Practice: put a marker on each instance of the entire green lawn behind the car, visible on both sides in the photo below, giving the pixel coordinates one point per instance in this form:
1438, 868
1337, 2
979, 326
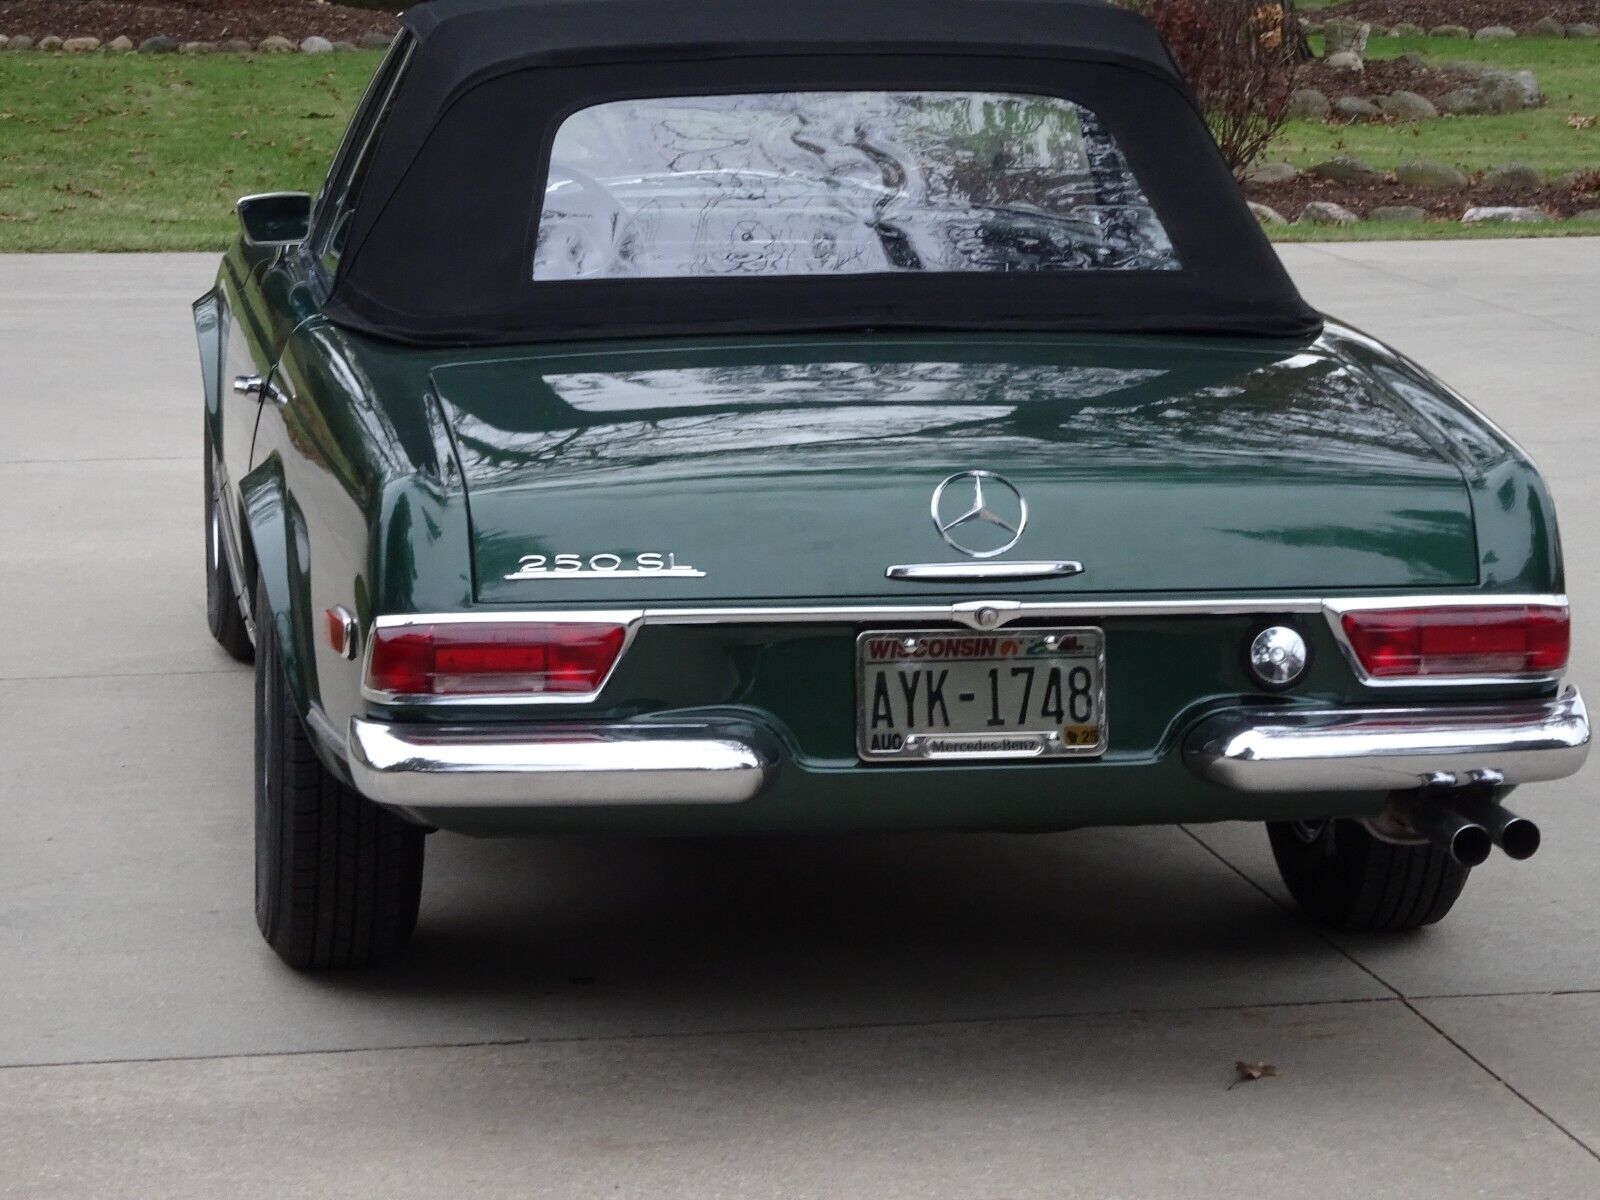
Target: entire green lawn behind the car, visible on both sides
148, 153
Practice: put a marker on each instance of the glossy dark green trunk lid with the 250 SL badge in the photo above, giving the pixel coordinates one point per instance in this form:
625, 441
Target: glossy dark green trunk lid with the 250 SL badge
802, 470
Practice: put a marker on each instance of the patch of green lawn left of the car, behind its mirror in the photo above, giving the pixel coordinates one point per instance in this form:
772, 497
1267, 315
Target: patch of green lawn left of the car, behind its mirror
150, 153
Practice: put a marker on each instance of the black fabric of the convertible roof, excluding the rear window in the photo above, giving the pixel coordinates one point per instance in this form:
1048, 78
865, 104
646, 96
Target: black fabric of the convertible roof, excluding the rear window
442, 236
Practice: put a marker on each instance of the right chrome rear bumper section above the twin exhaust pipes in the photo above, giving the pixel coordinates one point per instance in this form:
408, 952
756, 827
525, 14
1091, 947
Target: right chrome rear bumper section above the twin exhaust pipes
1390, 750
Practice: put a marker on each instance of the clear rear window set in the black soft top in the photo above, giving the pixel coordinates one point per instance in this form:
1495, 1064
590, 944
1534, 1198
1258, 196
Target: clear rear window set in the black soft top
841, 183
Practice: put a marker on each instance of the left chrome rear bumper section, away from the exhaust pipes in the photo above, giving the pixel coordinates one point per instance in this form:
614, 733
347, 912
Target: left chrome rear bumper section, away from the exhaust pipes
543, 767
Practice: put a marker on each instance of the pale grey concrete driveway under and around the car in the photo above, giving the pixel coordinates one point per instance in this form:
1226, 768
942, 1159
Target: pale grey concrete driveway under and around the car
918, 1017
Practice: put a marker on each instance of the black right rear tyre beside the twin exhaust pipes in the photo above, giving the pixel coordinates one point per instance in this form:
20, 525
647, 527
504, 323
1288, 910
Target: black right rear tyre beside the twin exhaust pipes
1348, 879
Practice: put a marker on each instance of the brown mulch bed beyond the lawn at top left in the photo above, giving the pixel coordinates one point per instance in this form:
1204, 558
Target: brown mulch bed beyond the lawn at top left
210, 22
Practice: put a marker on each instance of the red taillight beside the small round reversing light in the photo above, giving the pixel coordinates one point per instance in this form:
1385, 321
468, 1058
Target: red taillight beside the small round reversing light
1444, 642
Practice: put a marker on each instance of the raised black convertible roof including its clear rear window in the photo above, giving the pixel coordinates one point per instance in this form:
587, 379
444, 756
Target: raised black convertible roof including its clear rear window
566, 170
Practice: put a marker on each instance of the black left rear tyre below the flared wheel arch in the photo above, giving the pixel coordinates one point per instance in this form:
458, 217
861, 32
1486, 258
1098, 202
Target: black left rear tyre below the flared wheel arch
338, 879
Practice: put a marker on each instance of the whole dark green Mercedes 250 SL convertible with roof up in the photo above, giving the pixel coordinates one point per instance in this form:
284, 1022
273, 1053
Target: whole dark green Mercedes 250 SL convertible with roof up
719, 417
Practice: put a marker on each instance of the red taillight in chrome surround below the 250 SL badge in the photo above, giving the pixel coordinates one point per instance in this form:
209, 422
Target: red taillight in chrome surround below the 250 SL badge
494, 658
